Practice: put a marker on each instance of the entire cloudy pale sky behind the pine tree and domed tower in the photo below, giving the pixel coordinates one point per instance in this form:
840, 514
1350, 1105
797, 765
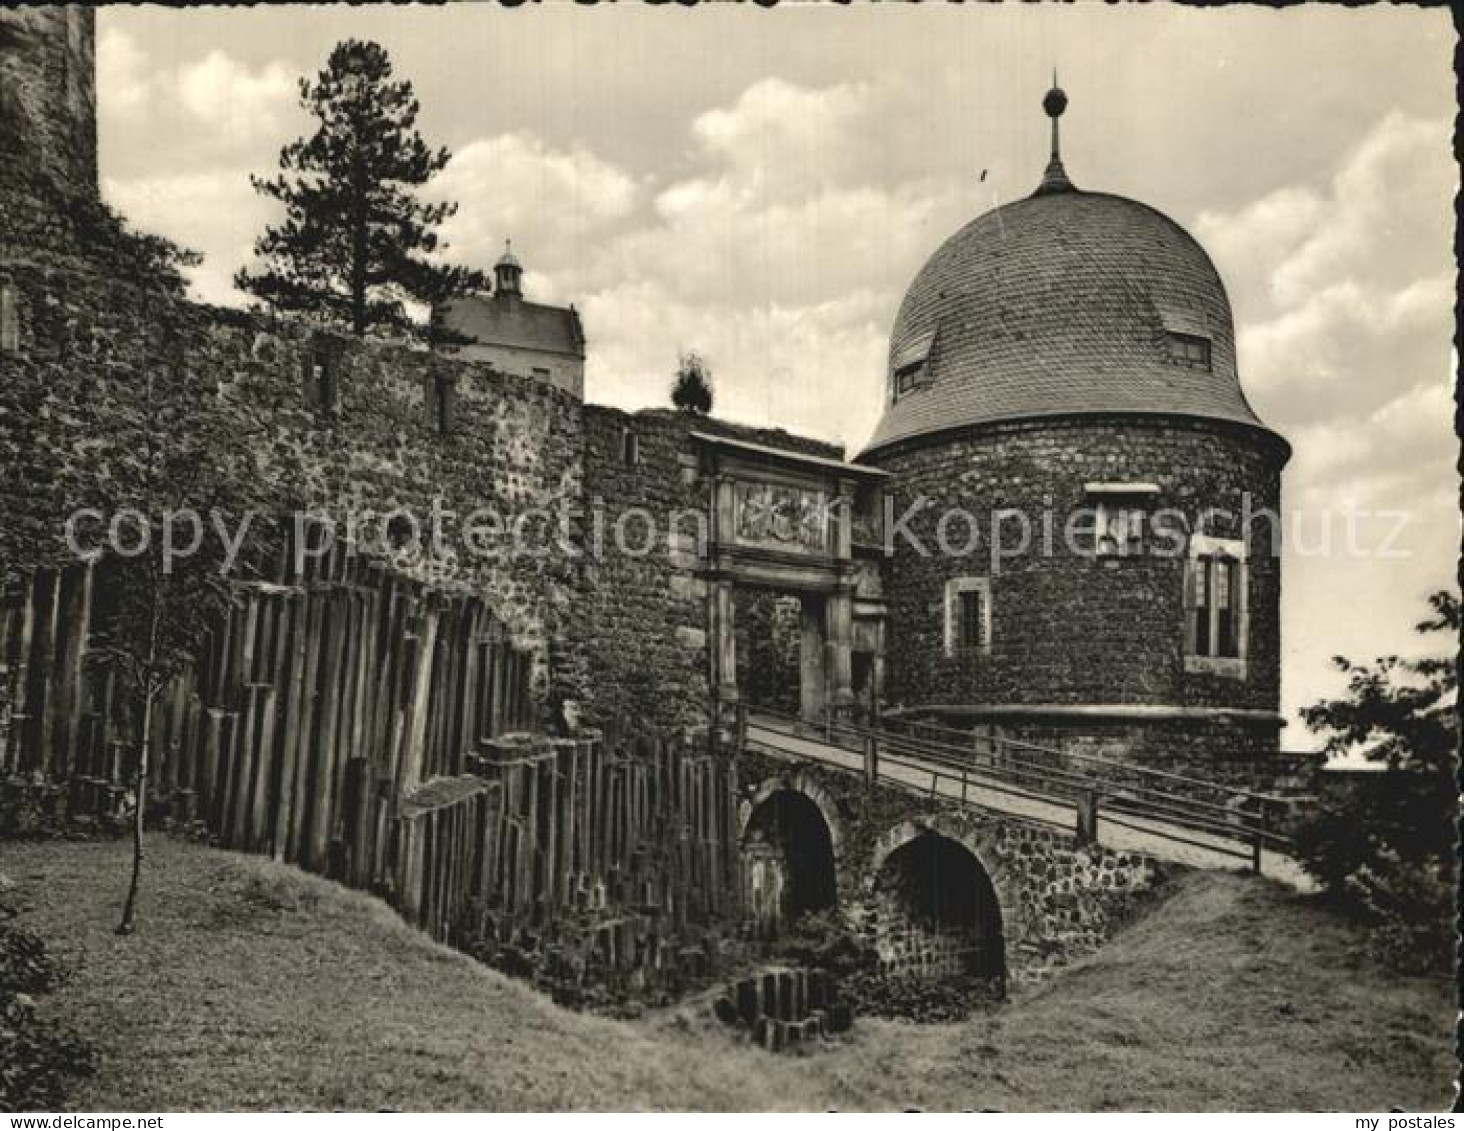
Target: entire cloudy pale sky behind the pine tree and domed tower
763, 185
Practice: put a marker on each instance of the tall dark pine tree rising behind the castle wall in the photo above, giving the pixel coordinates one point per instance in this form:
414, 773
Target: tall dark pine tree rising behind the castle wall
356, 244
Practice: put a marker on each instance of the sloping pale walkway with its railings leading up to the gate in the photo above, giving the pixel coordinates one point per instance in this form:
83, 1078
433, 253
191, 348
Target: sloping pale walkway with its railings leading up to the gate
1122, 807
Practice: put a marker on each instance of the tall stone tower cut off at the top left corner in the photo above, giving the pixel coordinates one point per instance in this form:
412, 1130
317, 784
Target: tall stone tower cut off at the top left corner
49, 96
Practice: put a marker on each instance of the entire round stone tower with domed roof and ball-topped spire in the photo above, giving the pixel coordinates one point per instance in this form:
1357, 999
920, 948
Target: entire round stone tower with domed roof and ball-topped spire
1084, 501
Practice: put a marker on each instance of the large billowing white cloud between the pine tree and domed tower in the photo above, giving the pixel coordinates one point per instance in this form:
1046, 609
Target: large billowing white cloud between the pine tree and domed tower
772, 252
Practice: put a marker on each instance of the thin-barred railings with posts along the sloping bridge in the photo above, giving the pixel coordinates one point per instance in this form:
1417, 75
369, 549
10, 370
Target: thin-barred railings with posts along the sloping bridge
1159, 803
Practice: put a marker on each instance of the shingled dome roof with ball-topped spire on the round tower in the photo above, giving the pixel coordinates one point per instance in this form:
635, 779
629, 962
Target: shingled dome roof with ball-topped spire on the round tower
1062, 304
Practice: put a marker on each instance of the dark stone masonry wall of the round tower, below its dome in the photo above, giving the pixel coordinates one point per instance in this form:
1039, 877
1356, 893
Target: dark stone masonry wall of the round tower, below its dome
1069, 628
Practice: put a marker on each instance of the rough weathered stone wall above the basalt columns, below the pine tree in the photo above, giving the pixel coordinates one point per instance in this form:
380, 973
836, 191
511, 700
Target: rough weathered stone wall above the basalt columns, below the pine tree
86, 343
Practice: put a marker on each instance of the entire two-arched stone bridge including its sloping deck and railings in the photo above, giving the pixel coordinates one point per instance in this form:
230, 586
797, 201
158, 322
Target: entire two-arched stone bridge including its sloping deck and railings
955, 864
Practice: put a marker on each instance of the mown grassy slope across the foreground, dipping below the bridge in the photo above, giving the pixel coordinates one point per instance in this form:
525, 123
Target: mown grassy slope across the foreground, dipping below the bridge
253, 987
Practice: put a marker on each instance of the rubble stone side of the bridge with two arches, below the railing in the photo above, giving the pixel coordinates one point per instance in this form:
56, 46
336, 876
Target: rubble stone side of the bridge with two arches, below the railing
935, 886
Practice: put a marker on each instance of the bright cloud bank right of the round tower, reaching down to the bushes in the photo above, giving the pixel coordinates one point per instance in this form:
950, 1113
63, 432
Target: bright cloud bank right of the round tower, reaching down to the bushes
1345, 298
